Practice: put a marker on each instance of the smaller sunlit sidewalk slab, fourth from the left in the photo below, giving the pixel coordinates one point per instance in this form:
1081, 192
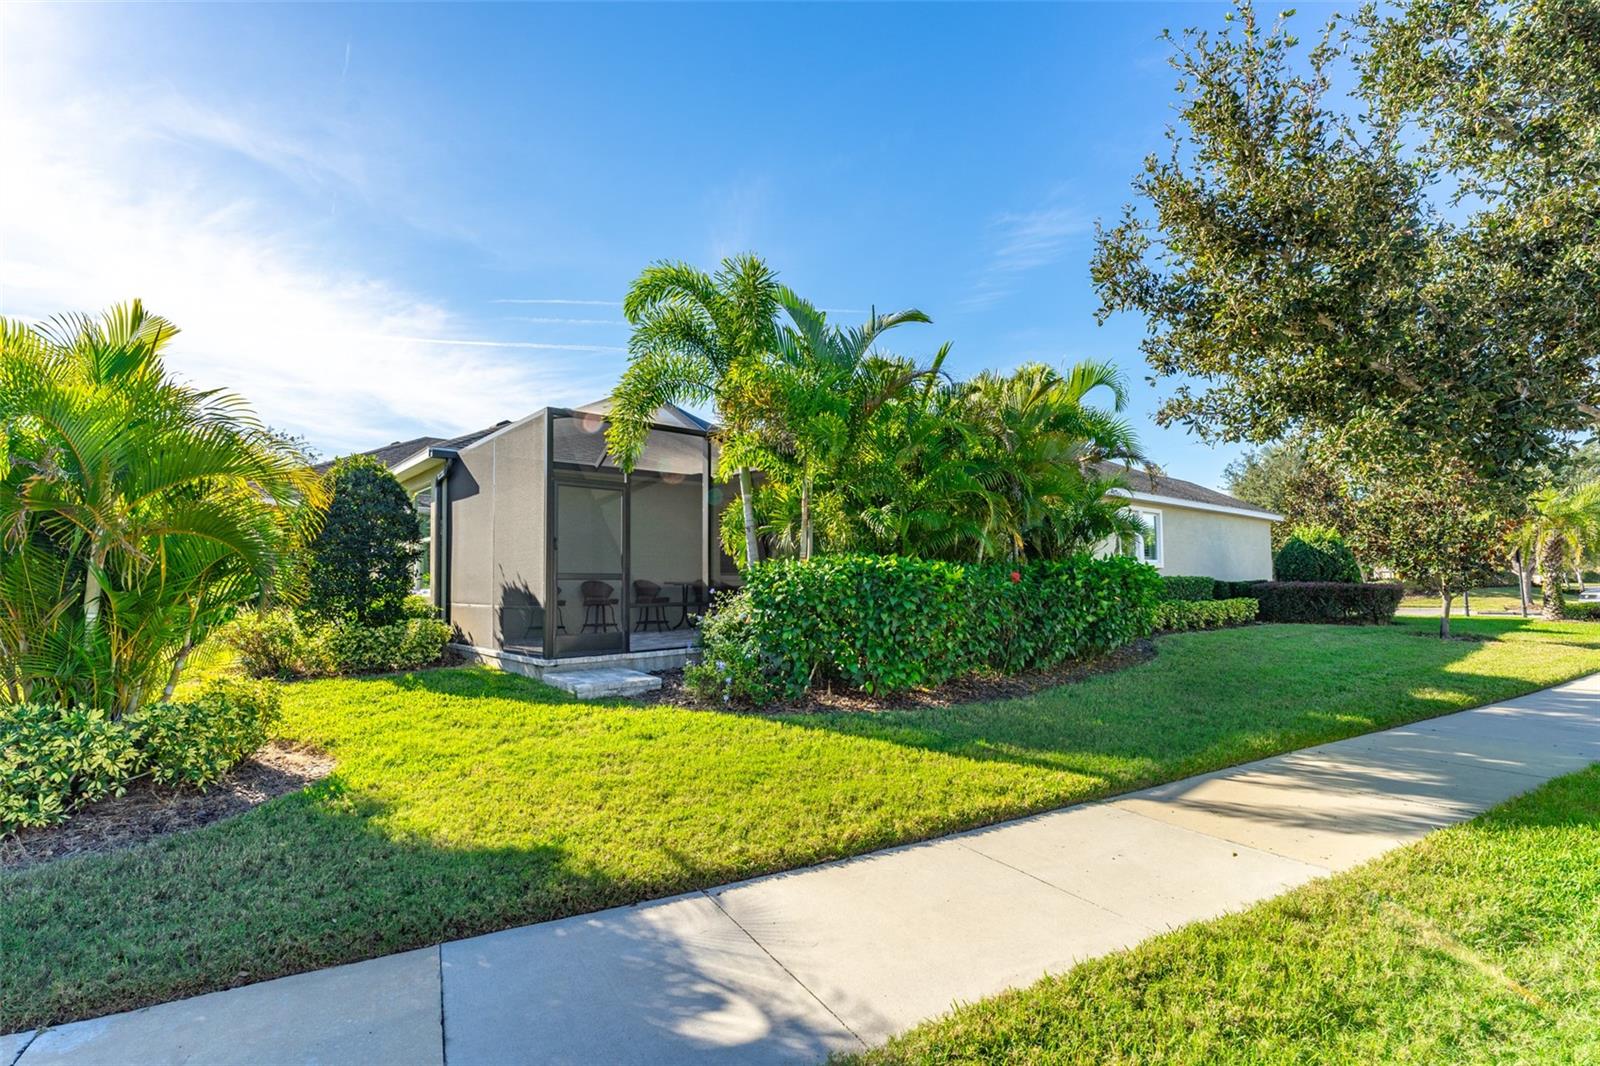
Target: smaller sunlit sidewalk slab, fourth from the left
1154, 873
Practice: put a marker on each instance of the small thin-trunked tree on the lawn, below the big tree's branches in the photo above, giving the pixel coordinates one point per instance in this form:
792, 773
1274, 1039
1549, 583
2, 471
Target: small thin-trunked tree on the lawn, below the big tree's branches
1441, 531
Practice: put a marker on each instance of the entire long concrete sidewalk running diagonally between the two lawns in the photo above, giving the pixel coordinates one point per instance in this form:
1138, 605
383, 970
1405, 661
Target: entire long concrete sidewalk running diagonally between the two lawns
798, 966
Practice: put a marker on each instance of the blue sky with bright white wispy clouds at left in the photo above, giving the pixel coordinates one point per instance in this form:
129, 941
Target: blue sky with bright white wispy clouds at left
385, 222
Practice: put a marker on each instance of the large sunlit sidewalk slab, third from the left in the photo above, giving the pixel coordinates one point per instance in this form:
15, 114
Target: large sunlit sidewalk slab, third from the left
902, 936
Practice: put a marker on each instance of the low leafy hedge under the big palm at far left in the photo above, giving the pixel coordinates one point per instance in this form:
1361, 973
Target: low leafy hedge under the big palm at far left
57, 759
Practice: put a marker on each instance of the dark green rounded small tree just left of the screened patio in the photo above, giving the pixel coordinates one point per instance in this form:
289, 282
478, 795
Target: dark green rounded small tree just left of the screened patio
362, 564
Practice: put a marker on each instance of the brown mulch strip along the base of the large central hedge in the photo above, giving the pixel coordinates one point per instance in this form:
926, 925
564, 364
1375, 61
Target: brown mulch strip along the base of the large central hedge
972, 689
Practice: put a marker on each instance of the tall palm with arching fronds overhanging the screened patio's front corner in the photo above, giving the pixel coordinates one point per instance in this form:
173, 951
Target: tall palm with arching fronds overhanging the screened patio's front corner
698, 339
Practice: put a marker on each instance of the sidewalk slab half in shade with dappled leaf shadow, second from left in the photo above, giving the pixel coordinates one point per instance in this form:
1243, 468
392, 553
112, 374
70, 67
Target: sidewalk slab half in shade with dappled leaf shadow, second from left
671, 982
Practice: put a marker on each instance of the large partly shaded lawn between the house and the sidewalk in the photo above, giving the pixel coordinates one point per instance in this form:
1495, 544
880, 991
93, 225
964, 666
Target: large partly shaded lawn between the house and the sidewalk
468, 801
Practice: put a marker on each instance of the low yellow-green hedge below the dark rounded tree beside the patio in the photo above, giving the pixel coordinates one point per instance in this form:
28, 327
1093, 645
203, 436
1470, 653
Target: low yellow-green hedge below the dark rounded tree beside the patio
278, 644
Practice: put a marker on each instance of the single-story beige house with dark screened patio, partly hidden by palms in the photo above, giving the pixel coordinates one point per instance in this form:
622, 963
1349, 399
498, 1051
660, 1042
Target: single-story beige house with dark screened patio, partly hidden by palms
542, 550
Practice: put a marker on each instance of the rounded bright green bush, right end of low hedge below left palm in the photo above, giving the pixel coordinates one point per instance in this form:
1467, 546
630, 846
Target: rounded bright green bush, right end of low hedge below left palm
196, 742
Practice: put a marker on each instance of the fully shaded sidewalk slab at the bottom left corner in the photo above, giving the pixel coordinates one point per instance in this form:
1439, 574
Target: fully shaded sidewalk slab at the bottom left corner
383, 1011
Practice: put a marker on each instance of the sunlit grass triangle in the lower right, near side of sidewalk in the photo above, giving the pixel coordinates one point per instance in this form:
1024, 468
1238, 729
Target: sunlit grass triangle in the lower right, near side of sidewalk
1478, 945
